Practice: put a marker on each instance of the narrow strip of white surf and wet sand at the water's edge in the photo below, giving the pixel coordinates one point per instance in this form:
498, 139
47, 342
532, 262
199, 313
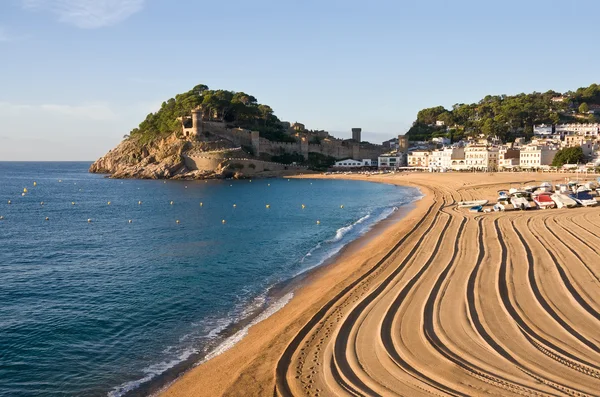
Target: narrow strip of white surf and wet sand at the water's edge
276, 298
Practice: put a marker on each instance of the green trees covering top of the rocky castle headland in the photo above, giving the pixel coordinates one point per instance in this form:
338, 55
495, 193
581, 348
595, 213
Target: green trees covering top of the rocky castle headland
236, 108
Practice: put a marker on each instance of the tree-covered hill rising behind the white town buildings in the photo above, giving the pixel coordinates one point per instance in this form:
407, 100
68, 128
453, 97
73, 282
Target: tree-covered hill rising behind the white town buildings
506, 116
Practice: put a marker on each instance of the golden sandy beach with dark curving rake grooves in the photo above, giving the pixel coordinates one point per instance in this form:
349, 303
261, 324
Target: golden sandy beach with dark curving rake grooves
442, 302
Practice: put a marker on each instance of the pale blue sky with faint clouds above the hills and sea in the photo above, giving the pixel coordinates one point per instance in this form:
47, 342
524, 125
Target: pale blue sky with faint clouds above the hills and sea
76, 75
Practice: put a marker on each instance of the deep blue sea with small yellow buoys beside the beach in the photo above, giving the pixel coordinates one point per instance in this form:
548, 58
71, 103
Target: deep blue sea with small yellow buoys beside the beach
99, 308
